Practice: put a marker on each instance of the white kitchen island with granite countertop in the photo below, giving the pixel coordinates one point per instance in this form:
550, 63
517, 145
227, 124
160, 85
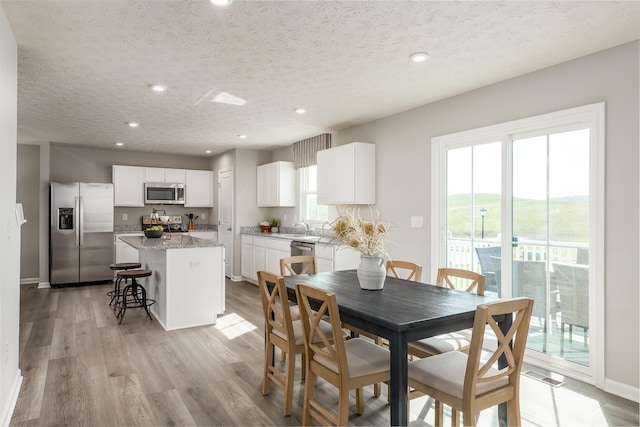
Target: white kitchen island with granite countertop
188, 278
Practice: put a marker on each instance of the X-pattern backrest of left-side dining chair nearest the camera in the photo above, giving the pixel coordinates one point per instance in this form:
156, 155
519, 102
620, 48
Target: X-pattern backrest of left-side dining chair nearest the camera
323, 347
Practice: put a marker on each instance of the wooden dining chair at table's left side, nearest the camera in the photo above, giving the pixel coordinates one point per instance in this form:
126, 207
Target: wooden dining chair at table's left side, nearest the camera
348, 365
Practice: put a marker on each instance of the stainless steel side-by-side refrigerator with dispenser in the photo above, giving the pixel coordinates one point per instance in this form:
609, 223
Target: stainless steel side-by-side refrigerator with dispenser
81, 233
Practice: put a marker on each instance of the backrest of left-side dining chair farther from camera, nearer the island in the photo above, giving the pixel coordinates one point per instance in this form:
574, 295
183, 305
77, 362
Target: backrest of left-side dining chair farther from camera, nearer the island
275, 304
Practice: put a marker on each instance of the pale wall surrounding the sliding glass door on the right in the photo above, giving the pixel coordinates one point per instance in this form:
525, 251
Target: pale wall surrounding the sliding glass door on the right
403, 175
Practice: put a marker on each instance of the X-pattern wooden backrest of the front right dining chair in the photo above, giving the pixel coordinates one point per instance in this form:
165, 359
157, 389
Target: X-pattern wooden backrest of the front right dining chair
479, 370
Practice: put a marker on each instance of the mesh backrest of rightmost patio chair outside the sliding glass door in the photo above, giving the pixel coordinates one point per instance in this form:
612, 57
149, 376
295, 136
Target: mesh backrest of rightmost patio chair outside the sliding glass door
572, 281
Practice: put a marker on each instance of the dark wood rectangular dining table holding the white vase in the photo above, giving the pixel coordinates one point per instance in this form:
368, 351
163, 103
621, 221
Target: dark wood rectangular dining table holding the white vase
401, 312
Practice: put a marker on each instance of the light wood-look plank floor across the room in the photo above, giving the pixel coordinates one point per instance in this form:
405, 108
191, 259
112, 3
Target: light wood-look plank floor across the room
81, 368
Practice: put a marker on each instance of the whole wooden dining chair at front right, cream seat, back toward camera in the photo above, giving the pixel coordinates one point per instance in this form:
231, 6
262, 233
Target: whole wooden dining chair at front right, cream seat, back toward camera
471, 383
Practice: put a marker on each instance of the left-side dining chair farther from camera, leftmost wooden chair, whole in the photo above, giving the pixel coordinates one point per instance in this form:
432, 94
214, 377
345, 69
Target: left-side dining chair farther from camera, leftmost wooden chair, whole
281, 332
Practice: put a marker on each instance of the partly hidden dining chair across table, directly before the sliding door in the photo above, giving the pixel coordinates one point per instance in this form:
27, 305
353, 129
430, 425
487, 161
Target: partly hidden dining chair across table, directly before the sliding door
453, 278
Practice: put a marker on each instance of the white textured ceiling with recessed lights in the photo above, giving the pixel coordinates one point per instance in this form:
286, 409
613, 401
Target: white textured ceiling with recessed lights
84, 67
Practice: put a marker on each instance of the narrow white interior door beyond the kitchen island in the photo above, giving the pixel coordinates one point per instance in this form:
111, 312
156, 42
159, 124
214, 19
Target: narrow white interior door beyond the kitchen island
225, 218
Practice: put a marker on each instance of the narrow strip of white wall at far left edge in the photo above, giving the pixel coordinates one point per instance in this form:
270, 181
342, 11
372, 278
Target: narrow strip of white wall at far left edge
10, 377
